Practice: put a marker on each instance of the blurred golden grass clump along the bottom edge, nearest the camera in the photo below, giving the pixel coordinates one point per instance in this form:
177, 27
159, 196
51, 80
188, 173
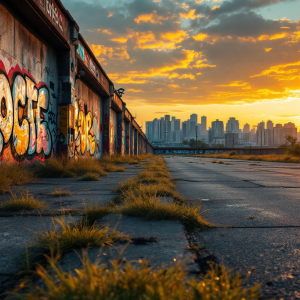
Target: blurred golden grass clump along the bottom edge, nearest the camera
96, 282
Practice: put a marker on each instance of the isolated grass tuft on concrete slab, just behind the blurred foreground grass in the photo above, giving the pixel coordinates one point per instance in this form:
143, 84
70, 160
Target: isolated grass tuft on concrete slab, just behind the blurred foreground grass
77, 236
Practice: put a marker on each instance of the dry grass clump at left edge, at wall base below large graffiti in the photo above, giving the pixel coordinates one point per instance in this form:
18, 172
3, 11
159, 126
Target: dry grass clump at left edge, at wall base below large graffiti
13, 174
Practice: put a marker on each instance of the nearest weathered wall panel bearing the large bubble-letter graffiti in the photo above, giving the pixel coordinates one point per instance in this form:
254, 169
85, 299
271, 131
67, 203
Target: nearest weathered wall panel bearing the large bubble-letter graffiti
28, 94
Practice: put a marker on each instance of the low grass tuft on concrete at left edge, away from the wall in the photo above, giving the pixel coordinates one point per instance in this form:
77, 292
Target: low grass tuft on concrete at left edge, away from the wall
23, 202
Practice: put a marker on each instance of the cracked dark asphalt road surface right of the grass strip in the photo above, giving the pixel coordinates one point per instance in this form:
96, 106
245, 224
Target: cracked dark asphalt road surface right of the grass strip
269, 244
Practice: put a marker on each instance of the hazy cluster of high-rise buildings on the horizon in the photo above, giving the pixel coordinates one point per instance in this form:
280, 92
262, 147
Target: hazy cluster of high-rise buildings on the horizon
169, 130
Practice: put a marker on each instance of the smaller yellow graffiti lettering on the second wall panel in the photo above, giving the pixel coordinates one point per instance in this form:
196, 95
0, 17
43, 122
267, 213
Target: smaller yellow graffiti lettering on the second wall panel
87, 131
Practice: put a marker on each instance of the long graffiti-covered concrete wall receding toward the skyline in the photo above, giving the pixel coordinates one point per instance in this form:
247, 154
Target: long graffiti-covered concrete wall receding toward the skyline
54, 95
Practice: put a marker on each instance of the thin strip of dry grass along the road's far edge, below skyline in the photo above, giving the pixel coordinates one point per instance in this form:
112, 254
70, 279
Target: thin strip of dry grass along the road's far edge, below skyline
271, 157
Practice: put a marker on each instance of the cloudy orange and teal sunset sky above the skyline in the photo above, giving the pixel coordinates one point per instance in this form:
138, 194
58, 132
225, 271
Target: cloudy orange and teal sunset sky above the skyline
238, 58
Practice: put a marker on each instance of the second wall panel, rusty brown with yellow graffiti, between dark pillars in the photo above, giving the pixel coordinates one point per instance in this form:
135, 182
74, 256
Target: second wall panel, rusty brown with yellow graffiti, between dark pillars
87, 136
